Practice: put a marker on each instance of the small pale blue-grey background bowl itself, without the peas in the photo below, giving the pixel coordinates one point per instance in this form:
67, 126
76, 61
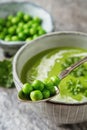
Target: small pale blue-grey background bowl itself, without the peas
10, 8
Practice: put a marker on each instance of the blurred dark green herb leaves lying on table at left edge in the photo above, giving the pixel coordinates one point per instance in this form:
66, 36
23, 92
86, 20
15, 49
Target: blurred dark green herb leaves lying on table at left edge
6, 77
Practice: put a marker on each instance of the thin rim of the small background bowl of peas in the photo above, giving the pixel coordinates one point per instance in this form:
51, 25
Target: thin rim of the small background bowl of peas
13, 43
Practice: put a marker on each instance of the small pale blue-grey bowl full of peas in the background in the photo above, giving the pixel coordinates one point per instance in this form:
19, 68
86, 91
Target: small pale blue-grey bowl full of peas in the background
21, 22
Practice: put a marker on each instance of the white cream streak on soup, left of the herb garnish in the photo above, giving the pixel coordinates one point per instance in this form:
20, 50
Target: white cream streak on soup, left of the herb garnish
46, 64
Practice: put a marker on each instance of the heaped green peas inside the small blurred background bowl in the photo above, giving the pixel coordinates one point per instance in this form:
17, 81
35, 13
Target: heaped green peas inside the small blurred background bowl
20, 27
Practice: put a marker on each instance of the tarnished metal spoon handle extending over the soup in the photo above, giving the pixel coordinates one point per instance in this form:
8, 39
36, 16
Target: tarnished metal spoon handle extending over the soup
64, 73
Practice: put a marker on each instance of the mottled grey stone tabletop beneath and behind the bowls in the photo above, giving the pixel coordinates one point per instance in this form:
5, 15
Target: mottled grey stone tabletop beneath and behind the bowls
14, 115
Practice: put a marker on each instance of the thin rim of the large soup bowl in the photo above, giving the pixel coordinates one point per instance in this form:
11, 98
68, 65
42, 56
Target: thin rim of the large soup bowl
41, 37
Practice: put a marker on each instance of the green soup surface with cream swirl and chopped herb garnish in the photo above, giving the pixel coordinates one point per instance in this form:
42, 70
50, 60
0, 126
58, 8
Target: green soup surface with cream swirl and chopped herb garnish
51, 62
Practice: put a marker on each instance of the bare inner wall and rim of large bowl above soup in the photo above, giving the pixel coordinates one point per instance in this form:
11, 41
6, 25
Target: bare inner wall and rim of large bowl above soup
45, 42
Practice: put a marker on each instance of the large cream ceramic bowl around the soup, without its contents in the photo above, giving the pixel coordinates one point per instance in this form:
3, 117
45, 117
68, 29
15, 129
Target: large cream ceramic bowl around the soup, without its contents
54, 112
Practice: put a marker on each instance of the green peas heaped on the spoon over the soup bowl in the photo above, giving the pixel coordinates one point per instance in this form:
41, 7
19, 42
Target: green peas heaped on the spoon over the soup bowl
39, 90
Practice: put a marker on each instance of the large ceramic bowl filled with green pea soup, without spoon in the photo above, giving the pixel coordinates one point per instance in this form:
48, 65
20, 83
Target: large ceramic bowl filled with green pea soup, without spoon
56, 52
